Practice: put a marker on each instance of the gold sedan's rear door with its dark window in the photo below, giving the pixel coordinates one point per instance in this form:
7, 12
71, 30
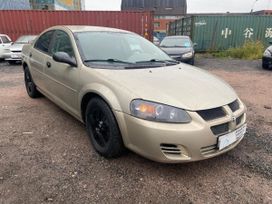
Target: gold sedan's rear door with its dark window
37, 58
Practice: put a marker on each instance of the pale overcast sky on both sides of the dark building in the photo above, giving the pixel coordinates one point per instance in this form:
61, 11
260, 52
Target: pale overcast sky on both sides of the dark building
194, 6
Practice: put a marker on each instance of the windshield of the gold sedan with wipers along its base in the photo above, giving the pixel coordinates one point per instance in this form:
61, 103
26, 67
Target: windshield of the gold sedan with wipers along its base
113, 47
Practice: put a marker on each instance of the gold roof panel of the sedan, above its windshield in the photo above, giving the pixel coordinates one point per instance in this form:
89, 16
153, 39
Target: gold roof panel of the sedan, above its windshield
86, 28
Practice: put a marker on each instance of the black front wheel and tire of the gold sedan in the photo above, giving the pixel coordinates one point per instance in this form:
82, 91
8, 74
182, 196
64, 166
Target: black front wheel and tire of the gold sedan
103, 129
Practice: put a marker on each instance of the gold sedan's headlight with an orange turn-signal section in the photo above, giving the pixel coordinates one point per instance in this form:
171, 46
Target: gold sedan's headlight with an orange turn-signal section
158, 112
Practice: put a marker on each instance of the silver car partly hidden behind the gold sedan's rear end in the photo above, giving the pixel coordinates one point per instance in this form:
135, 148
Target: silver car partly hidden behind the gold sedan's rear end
14, 52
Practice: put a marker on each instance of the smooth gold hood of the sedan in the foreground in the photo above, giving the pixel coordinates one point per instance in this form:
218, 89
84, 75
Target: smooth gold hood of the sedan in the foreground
181, 86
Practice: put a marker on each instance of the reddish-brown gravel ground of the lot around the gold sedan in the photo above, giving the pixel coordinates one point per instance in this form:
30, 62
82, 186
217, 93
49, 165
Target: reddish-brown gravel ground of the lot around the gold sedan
46, 156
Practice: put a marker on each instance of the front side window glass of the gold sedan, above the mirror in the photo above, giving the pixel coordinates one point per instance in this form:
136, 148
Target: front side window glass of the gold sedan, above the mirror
62, 43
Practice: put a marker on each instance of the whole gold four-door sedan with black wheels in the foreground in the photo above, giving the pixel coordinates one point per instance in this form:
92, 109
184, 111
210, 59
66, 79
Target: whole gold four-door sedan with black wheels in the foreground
130, 94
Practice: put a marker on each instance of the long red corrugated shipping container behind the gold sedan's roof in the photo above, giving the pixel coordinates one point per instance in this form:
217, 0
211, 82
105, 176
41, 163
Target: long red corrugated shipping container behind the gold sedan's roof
17, 23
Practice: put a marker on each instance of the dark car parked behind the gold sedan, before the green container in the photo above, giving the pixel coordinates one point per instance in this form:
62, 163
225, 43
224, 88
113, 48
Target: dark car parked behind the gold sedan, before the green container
180, 48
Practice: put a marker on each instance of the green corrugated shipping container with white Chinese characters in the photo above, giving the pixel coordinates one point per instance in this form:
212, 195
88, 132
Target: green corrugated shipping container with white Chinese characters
216, 33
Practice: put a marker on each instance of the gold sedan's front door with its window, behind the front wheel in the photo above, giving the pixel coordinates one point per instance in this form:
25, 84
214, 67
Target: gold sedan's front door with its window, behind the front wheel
62, 79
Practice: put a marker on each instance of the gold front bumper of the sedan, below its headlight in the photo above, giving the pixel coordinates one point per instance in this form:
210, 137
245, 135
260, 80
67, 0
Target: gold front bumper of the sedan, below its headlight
161, 142
